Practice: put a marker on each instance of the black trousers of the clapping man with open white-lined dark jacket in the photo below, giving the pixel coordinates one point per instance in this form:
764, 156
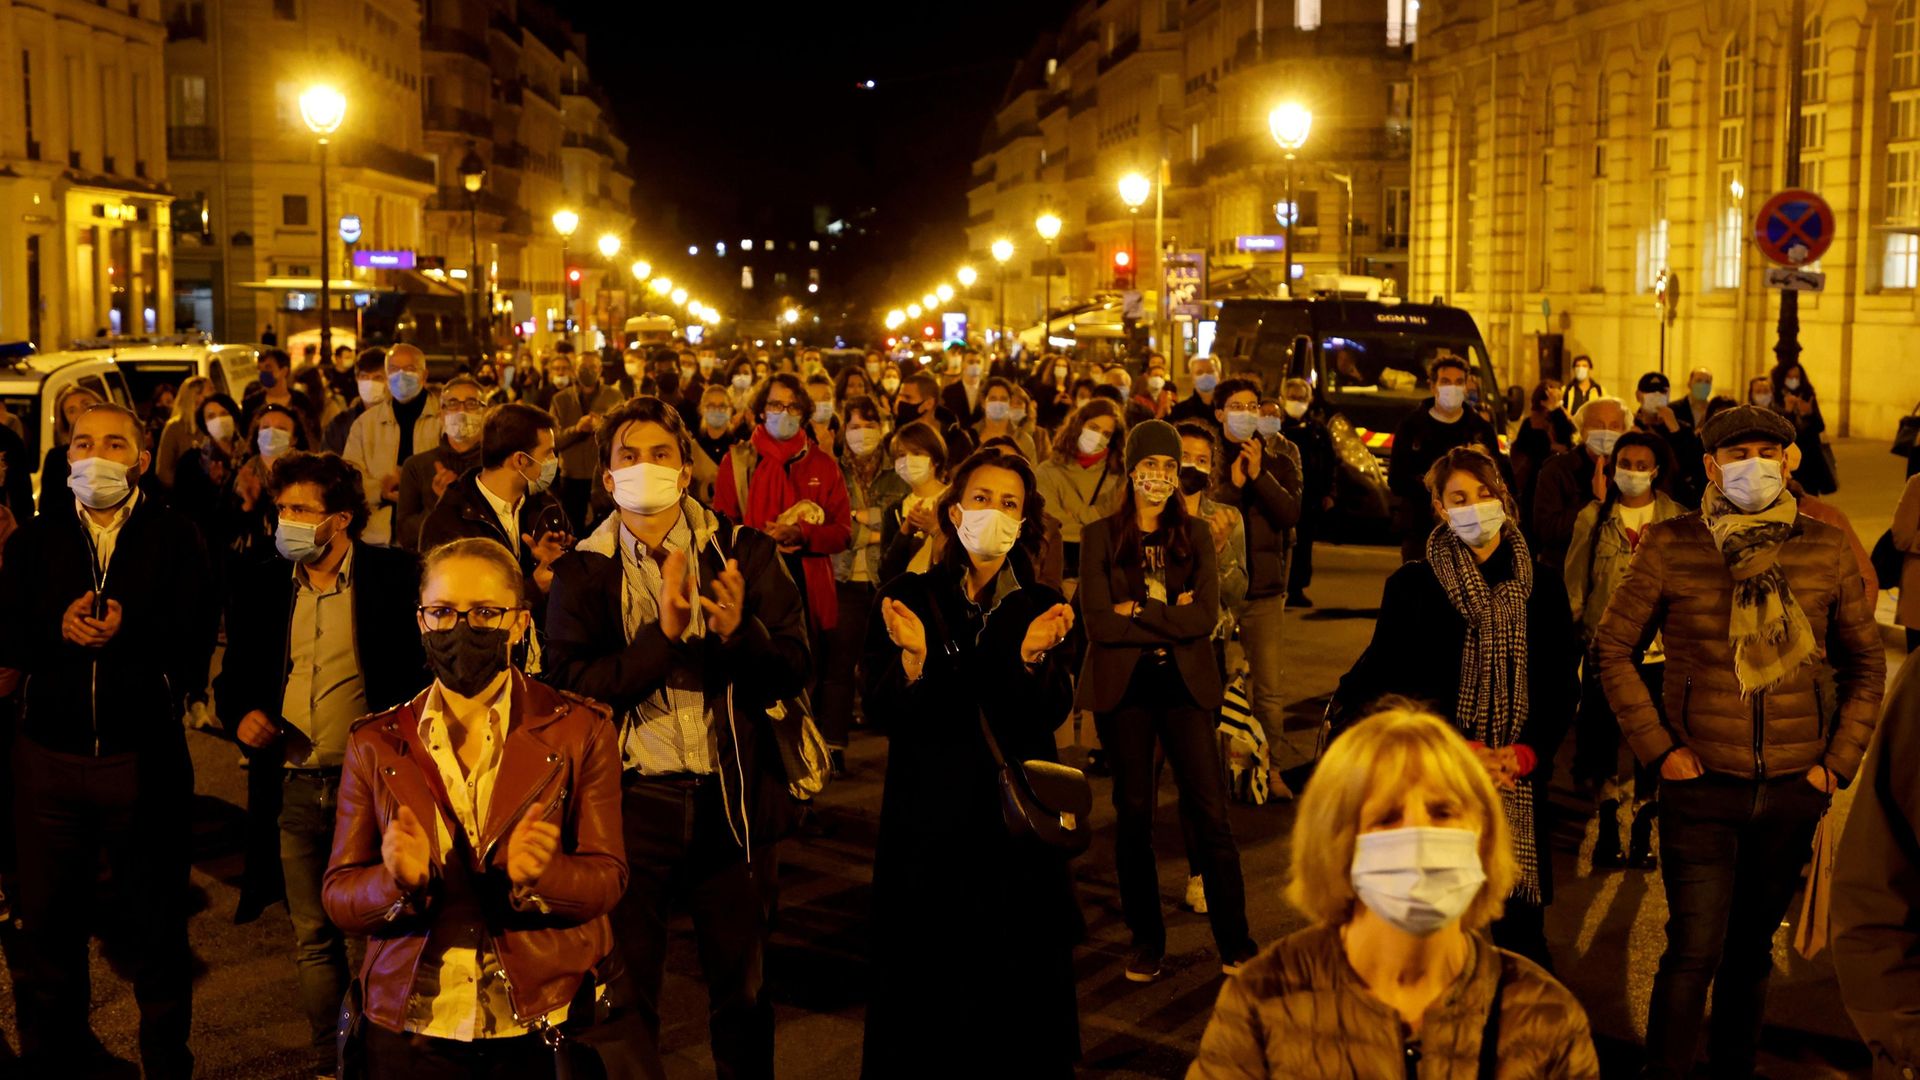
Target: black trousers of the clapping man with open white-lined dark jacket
681, 850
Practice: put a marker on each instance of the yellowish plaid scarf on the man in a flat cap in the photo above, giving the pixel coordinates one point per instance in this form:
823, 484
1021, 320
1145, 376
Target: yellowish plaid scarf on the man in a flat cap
1767, 626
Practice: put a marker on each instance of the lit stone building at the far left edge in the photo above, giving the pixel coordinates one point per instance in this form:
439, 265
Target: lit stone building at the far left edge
85, 243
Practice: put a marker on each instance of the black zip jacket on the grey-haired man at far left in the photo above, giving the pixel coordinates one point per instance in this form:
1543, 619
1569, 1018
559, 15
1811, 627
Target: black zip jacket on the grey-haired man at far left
126, 695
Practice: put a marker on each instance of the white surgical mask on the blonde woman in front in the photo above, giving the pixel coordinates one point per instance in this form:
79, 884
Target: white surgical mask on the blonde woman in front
1418, 879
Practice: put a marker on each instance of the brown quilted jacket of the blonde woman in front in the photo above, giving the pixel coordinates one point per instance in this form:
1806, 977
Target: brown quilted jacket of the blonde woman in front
1299, 1012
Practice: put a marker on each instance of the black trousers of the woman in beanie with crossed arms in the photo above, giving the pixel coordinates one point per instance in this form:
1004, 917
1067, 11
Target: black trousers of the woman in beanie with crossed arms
1161, 708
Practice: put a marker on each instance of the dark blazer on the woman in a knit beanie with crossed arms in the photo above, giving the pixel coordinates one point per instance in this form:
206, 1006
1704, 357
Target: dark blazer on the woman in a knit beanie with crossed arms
1116, 643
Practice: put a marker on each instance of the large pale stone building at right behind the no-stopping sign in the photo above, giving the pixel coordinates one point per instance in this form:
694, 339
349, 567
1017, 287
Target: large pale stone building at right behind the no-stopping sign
1568, 155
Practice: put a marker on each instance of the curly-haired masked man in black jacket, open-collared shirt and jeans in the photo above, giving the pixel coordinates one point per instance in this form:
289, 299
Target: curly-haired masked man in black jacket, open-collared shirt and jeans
316, 641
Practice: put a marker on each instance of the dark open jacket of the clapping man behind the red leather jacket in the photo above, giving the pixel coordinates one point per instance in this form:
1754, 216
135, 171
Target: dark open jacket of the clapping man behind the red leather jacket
767, 660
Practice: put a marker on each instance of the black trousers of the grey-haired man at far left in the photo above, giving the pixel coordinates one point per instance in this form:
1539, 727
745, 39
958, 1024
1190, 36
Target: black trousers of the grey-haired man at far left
132, 814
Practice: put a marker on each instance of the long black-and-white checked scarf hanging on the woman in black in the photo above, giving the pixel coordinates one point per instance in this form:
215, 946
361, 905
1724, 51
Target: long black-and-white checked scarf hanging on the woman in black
1493, 670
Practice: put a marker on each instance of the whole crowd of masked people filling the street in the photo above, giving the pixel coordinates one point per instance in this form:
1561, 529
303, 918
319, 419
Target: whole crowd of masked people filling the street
517, 662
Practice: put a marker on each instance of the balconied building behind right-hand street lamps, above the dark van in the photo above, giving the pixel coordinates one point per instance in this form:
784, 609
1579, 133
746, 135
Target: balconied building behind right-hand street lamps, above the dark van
1184, 91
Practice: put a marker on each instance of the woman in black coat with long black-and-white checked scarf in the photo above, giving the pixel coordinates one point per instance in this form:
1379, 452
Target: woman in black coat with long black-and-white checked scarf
1487, 643
